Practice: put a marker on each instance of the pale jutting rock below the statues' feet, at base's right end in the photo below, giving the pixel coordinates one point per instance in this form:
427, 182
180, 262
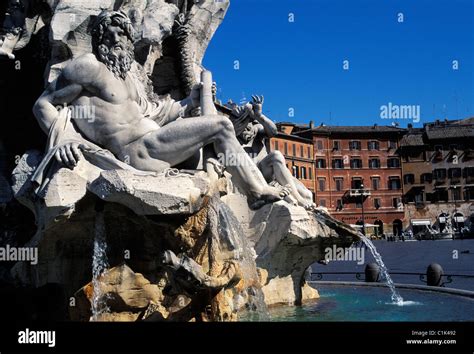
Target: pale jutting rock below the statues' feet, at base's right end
287, 240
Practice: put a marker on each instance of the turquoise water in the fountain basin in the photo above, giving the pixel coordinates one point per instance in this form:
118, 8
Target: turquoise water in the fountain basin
347, 303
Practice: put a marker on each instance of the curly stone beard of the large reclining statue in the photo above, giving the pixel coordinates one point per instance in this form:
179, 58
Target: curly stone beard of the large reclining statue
118, 61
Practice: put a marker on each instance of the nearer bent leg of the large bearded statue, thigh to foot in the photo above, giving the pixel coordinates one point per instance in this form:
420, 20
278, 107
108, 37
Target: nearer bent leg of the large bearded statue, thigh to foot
179, 140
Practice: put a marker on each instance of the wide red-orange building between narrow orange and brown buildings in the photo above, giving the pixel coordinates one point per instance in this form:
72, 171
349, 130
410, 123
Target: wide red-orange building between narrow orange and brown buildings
358, 174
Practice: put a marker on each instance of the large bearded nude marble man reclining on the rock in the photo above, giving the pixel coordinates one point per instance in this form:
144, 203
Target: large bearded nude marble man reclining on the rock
150, 136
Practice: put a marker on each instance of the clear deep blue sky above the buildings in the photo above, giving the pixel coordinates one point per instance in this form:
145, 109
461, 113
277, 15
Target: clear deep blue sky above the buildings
299, 65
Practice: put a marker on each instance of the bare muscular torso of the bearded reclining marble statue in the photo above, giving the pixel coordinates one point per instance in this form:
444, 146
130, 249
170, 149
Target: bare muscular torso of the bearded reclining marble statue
117, 120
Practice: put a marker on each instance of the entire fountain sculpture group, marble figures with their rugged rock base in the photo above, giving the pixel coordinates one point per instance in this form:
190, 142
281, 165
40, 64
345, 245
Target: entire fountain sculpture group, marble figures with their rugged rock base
128, 106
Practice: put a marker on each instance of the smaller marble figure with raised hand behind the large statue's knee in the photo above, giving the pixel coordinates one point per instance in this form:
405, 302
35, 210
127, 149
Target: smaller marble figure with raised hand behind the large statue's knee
253, 128
